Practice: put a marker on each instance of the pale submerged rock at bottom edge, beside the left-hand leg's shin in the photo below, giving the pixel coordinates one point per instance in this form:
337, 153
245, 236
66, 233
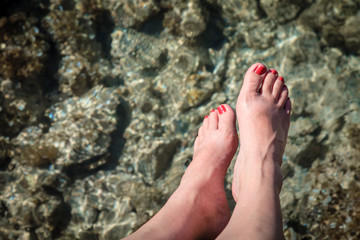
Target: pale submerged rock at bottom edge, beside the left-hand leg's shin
111, 205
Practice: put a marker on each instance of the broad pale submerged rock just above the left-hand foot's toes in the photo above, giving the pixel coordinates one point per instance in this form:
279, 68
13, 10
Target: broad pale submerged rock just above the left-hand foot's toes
176, 71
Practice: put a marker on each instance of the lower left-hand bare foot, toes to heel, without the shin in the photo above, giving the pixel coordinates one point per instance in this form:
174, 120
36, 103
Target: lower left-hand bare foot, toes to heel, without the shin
214, 149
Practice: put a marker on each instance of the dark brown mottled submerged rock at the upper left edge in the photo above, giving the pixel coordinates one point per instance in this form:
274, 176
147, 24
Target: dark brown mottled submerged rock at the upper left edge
23, 47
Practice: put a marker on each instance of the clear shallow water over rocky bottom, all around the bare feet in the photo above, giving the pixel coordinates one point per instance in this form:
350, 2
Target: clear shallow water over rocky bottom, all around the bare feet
98, 128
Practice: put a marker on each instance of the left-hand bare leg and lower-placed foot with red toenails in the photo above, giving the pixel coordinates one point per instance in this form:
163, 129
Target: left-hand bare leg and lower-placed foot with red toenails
198, 208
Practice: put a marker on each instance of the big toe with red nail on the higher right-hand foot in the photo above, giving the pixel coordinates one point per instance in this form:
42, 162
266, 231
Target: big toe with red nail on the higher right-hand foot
253, 78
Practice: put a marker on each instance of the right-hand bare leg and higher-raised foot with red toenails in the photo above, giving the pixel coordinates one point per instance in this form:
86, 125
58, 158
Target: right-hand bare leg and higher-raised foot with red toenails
264, 118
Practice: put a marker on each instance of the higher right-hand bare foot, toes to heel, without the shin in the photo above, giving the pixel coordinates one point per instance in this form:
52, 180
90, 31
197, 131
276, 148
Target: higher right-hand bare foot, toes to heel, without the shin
264, 118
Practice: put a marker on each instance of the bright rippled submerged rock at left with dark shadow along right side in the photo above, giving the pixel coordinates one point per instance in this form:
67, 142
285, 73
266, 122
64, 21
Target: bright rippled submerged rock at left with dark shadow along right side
80, 130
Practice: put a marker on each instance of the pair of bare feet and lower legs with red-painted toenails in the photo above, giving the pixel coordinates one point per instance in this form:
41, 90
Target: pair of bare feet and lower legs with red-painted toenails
198, 209
